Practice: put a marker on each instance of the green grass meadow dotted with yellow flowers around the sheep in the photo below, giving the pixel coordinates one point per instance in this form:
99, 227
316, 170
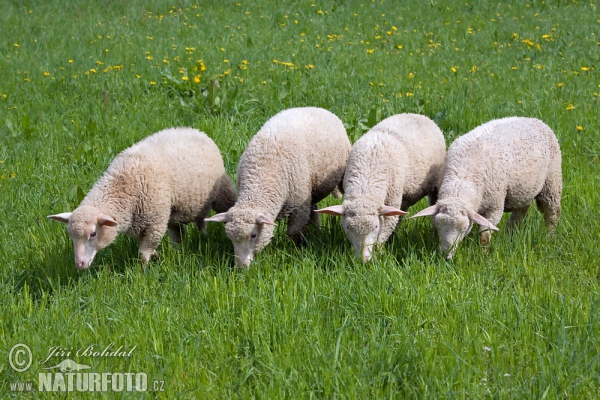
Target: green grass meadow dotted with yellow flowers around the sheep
81, 81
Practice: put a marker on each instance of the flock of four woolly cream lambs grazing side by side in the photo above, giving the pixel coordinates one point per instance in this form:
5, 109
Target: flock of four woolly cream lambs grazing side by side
298, 158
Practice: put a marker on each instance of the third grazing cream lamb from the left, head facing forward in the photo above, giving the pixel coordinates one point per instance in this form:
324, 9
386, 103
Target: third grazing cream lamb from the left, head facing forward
390, 168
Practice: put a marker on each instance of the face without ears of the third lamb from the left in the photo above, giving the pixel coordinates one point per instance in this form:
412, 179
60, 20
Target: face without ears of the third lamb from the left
362, 231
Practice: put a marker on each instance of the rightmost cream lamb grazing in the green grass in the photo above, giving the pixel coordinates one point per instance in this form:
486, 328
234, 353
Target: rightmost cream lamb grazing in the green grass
500, 166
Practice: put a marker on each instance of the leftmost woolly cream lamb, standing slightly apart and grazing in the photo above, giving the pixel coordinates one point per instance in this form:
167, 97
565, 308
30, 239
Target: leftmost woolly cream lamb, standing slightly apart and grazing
162, 182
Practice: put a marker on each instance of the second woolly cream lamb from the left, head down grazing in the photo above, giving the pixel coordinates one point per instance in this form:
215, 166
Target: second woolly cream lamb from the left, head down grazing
295, 160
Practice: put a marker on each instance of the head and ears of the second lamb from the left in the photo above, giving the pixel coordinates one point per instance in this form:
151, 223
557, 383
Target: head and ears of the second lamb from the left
250, 231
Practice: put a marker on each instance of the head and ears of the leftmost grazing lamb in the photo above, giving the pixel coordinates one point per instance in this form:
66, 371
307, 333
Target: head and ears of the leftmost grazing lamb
90, 231
